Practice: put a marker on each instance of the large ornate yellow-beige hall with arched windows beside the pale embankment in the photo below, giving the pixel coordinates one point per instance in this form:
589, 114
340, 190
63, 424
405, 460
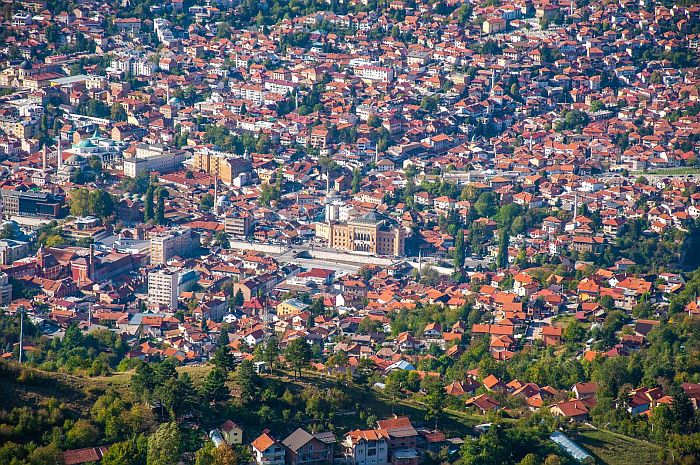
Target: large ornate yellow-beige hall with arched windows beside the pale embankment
367, 233
